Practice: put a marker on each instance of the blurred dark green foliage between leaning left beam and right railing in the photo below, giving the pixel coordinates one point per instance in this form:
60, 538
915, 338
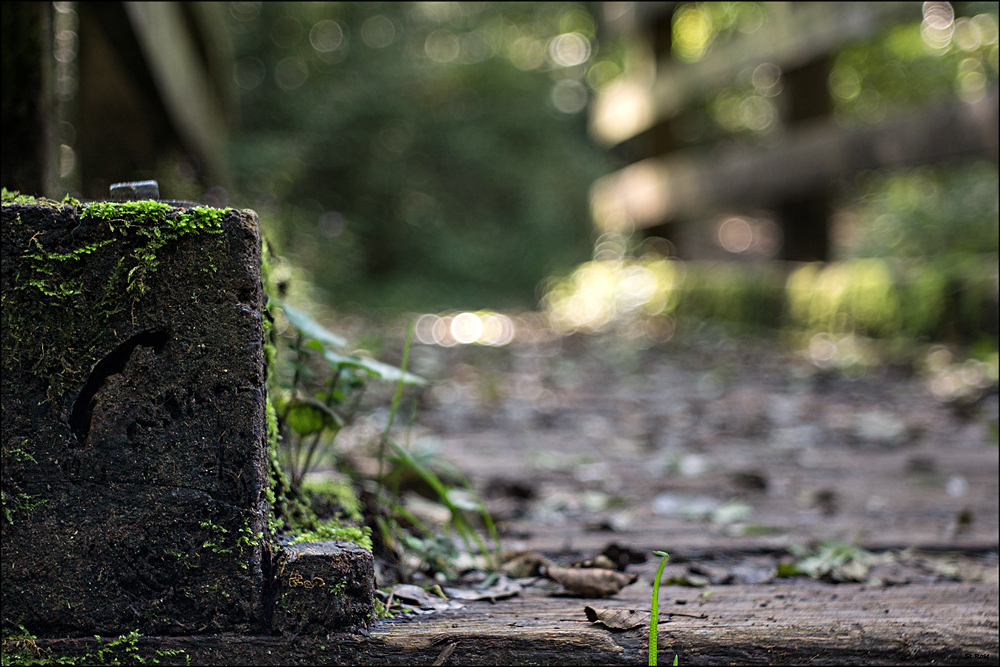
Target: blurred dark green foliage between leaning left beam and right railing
411, 155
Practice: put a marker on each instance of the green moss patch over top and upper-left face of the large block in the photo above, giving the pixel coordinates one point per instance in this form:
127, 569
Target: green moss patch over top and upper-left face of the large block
49, 286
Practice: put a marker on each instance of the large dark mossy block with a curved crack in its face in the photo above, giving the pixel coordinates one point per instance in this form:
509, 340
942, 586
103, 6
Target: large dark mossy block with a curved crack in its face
134, 431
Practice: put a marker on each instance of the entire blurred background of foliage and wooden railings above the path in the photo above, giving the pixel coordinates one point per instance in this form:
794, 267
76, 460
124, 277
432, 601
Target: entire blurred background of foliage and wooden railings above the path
573, 157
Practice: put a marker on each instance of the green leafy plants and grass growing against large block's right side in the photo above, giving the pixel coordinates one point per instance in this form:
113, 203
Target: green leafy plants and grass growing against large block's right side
315, 391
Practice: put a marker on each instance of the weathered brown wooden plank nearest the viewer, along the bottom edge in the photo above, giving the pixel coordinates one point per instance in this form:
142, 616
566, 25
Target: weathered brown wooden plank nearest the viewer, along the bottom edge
811, 623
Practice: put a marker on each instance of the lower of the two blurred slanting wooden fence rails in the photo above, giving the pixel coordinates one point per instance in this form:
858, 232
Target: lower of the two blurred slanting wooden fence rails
693, 183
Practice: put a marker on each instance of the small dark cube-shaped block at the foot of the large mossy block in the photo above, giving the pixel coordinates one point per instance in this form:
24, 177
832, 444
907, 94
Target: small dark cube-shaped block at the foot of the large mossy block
323, 587
